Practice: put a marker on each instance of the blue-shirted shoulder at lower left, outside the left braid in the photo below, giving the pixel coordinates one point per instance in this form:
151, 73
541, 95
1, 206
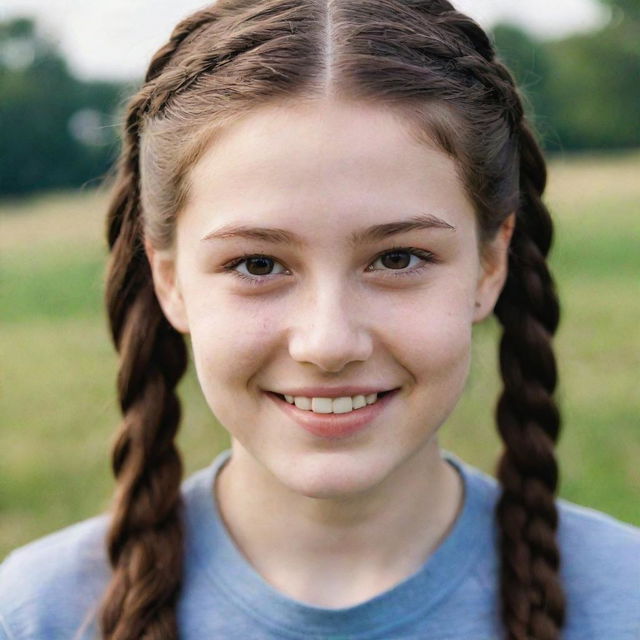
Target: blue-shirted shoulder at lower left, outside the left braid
48, 586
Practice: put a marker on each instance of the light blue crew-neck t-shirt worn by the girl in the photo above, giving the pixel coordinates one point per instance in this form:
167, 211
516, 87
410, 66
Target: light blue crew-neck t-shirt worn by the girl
50, 586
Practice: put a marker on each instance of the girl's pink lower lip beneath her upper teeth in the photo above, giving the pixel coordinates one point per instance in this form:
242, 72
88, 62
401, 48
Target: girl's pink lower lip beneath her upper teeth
334, 425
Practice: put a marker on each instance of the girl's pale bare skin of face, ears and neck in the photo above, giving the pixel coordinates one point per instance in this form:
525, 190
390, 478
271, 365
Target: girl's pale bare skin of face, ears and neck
331, 523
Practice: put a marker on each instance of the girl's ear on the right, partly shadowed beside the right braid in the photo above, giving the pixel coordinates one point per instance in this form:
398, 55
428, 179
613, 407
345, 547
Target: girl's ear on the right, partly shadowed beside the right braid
494, 270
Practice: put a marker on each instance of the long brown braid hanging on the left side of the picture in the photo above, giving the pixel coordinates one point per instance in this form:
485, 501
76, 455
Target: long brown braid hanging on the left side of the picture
145, 537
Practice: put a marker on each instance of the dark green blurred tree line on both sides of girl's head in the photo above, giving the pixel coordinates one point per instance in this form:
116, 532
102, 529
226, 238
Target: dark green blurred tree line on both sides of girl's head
56, 131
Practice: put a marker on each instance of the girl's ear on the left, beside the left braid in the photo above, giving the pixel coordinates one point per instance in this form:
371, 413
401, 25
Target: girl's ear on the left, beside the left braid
167, 286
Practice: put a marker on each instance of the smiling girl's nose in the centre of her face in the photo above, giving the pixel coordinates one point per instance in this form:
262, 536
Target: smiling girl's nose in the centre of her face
329, 329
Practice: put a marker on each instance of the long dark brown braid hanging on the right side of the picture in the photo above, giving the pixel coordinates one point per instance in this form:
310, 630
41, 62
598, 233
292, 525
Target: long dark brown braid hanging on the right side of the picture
528, 419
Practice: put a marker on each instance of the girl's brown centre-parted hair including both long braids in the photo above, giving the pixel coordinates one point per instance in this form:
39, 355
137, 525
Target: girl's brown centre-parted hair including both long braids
438, 69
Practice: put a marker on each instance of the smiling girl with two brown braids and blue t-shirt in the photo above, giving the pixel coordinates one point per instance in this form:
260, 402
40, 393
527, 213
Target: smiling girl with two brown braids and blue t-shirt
326, 196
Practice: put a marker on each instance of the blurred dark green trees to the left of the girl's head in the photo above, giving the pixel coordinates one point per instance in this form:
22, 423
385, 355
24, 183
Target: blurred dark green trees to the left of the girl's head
55, 131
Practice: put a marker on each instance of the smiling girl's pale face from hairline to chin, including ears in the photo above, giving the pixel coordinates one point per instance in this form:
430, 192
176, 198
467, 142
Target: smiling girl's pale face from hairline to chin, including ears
335, 298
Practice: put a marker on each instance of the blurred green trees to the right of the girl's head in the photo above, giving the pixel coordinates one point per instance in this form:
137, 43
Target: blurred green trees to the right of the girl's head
581, 92
